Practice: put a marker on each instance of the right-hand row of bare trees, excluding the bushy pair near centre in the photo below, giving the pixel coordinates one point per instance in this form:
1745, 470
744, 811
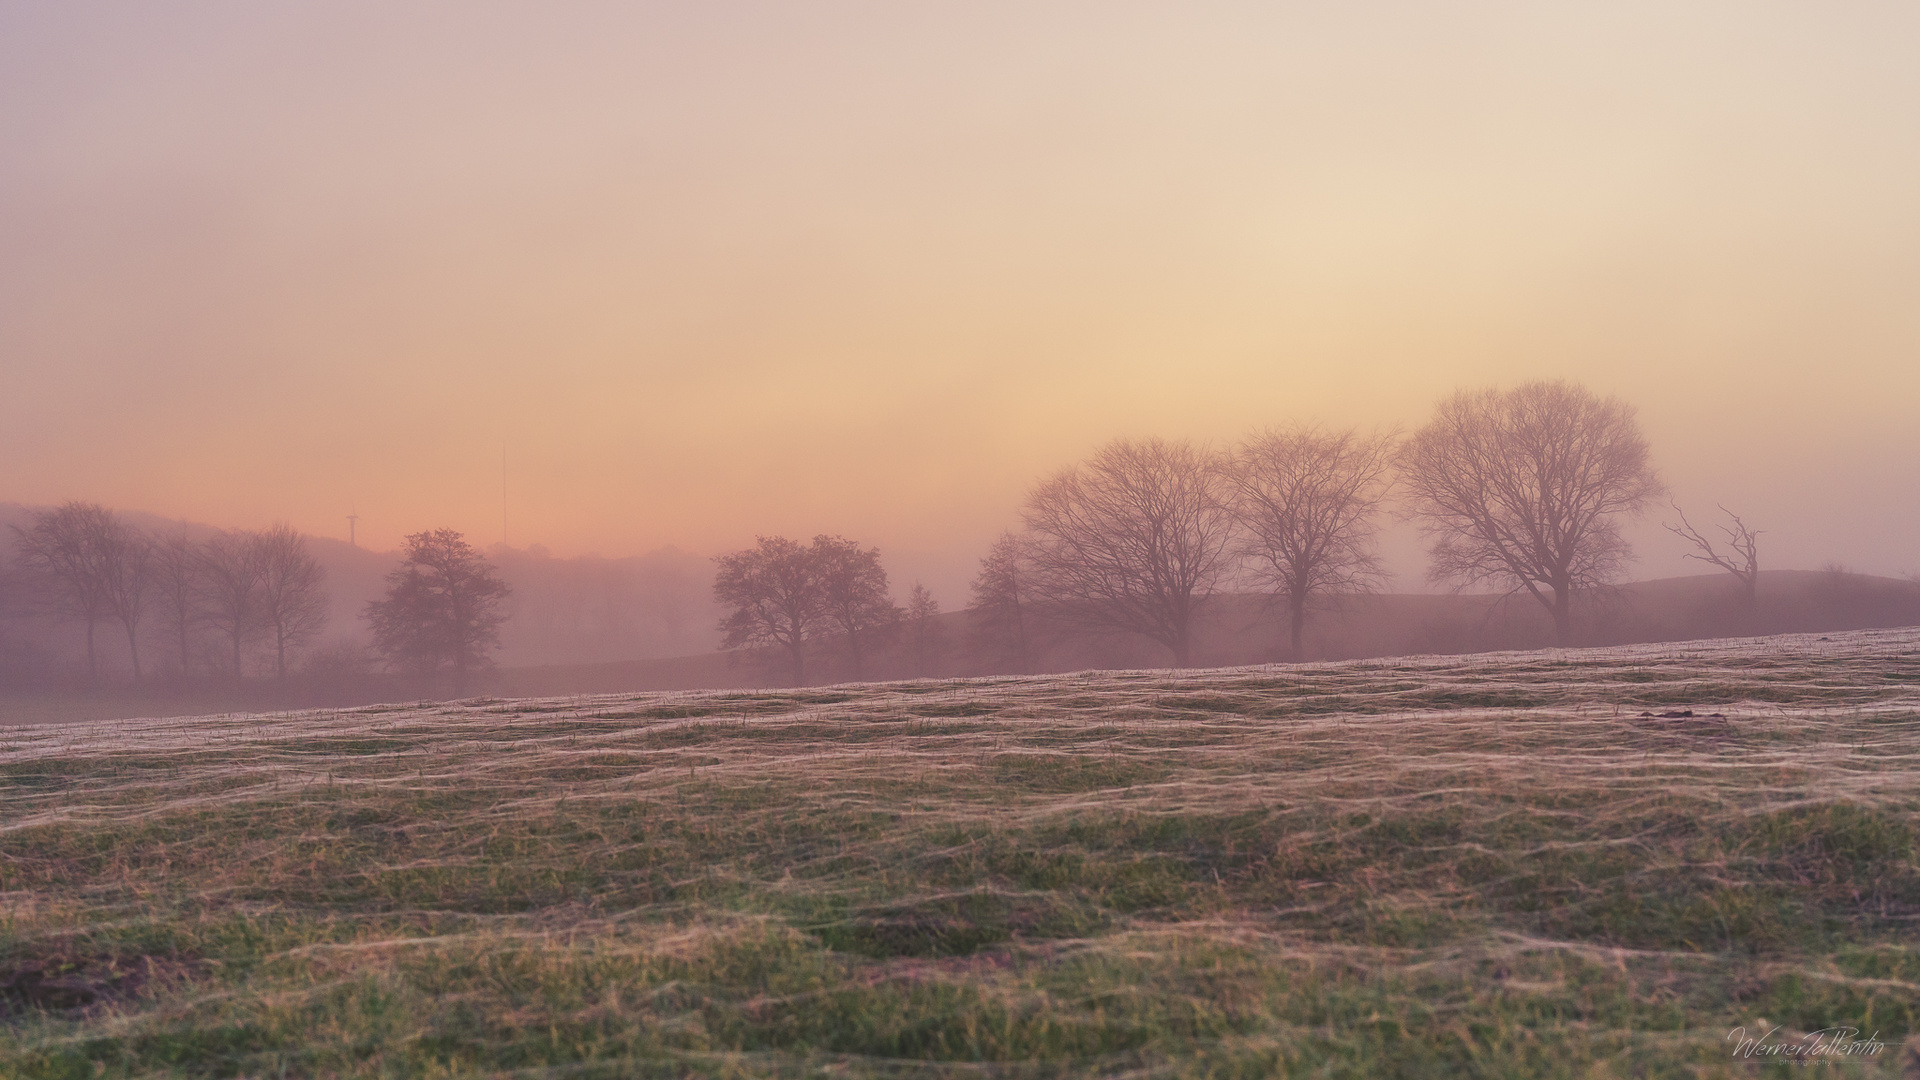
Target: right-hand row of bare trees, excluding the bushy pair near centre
1524, 489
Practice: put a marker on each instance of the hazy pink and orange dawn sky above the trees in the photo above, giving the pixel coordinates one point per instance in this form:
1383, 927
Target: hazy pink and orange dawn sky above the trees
610, 278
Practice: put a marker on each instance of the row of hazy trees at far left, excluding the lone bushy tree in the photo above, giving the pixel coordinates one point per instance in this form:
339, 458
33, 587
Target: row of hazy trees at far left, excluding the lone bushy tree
249, 591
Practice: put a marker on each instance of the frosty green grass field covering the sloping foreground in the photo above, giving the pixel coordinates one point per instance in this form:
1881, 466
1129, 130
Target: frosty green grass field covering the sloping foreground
1435, 868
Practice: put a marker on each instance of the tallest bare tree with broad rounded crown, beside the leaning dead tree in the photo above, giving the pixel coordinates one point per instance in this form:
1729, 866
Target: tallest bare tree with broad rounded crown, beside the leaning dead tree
1527, 489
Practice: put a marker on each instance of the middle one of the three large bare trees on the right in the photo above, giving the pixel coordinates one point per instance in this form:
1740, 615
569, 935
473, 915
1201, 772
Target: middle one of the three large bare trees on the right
1307, 504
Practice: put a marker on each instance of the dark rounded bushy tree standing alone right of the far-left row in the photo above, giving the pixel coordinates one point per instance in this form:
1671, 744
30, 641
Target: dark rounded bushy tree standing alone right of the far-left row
443, 610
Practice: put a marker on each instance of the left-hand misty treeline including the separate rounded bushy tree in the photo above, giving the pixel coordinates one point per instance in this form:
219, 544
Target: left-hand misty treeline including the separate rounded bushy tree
239, 606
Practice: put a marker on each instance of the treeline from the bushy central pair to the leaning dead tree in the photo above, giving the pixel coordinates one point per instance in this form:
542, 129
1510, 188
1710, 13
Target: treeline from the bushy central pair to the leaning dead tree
1524, 493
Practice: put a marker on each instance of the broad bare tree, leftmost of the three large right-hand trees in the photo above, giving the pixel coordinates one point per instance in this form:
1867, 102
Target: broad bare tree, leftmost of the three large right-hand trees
1132, 541
